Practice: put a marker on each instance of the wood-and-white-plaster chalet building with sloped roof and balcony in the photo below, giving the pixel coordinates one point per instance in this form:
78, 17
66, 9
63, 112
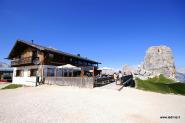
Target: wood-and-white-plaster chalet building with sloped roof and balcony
30, 60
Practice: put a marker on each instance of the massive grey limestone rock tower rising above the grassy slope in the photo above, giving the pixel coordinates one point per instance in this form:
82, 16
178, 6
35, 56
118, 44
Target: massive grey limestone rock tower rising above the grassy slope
160, 60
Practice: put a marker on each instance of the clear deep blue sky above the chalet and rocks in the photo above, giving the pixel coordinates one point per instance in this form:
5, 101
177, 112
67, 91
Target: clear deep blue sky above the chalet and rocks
110, 31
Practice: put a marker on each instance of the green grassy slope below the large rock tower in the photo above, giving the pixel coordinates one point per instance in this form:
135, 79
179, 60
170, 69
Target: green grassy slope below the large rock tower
161, 84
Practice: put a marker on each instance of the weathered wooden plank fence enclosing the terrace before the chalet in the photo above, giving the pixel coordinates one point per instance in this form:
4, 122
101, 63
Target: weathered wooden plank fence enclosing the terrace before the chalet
85, 82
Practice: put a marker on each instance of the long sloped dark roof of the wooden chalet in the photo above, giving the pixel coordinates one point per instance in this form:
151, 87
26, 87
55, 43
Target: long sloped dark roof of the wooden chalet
43, 48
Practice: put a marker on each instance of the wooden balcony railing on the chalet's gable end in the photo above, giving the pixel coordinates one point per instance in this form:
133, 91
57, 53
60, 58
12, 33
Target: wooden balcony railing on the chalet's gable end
22, 61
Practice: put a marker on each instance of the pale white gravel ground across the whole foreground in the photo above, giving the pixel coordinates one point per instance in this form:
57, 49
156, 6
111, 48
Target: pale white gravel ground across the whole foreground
57, 104
